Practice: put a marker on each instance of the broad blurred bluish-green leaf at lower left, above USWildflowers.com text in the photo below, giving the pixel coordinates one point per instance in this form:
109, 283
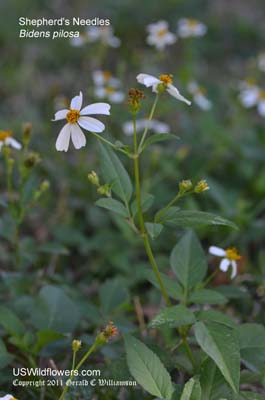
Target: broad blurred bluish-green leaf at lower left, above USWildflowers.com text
54, 310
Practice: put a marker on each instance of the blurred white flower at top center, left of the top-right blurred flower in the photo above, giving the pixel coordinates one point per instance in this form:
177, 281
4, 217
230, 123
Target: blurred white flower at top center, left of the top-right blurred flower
159, 35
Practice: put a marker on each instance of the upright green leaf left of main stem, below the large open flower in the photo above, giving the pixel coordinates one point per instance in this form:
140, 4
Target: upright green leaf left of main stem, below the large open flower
115, 174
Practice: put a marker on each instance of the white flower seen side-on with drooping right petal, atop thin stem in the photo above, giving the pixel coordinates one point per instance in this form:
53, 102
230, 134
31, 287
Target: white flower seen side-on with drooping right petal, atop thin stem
165, 80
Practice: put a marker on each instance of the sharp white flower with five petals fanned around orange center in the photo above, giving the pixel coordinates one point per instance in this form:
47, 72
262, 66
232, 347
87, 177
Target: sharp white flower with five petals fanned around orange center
76, 117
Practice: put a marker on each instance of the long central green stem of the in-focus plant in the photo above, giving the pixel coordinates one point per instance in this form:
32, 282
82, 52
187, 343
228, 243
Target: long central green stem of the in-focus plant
143, 232
